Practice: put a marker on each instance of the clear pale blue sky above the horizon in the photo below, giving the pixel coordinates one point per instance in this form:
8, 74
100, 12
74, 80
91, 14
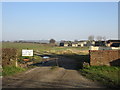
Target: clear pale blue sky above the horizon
59, 20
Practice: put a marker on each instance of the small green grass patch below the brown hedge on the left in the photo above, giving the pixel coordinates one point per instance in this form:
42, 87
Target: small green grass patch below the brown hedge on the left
11, 70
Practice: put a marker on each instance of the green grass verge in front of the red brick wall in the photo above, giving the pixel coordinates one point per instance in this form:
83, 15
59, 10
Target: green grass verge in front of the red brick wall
107, 75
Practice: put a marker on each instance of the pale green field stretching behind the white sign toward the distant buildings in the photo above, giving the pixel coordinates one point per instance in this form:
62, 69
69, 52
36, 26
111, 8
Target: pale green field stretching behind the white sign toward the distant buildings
41, 48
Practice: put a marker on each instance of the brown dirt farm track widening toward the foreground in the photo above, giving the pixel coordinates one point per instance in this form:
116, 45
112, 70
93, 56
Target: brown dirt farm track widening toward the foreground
45, 77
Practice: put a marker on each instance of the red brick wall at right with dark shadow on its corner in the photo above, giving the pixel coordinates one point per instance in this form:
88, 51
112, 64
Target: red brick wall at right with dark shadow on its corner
104, 57
